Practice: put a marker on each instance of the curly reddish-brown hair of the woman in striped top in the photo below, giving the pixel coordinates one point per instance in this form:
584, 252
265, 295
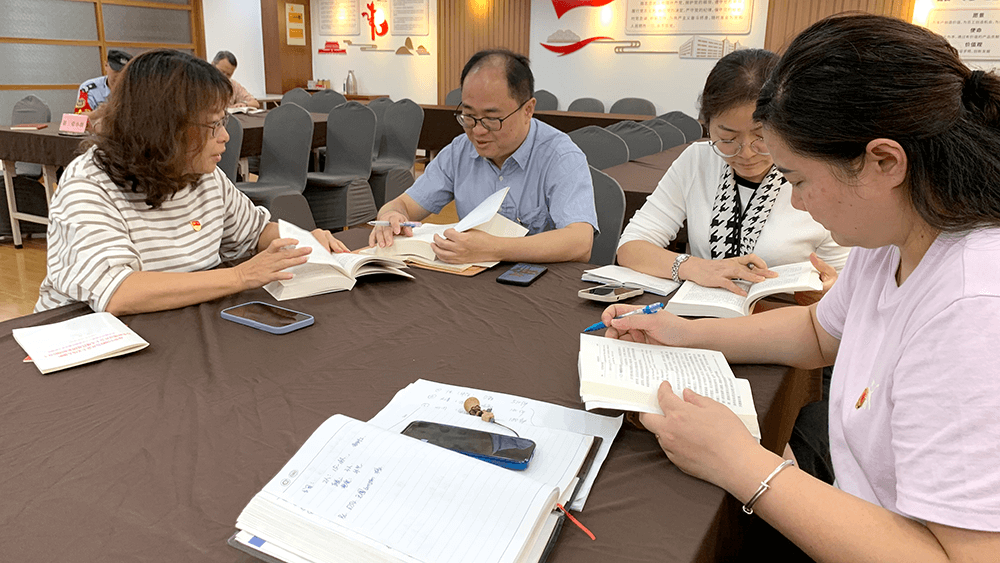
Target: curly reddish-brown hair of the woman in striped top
150, 129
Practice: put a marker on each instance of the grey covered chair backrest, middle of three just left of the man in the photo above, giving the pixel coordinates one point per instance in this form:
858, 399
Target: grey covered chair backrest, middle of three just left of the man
350, 134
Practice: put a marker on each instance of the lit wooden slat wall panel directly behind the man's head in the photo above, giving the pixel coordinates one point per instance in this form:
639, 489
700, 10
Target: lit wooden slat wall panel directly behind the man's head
467, 26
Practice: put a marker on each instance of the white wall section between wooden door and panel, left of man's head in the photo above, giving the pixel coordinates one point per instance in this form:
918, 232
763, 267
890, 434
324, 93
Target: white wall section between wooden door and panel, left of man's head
380, 72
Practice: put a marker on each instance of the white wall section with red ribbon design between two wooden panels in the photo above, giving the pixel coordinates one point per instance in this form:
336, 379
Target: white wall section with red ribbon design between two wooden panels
596, 71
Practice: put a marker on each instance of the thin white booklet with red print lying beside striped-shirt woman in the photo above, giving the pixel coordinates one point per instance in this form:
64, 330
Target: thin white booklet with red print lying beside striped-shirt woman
77, 341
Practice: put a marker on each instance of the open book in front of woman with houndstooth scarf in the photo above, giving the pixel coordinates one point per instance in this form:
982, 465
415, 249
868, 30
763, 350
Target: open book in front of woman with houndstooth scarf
693, 300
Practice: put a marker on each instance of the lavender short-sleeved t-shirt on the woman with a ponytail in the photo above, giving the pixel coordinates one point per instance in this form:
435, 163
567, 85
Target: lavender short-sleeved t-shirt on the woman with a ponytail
915, 398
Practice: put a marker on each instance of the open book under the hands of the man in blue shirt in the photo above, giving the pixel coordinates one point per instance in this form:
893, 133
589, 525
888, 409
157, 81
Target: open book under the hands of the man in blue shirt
417, 249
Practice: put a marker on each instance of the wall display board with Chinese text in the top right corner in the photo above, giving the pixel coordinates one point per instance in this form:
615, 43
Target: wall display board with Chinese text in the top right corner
971, 26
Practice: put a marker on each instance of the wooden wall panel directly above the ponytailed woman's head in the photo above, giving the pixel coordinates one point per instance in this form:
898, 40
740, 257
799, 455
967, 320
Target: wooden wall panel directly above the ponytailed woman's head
787, 18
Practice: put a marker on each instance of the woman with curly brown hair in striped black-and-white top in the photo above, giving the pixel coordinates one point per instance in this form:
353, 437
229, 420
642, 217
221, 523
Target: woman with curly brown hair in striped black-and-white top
143, 218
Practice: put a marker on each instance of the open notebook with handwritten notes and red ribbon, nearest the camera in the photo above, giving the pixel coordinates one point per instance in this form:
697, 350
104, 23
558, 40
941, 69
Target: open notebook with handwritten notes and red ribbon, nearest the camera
355, 492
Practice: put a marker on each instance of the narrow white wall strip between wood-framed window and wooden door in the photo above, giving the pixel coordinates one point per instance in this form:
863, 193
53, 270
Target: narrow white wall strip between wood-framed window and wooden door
234, 25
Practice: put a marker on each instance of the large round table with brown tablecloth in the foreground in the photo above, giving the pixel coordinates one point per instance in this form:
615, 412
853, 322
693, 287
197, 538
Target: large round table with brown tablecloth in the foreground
151, 456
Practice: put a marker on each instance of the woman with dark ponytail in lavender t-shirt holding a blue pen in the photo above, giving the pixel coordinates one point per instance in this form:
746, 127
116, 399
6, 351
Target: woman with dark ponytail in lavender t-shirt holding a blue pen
892, 144
